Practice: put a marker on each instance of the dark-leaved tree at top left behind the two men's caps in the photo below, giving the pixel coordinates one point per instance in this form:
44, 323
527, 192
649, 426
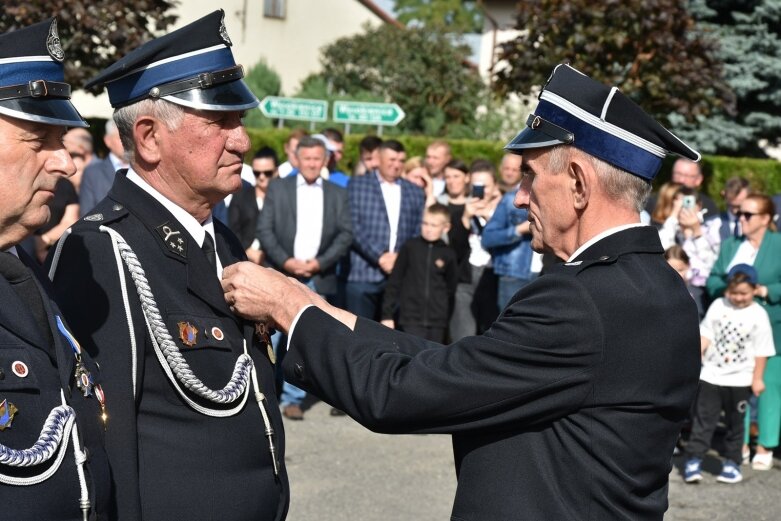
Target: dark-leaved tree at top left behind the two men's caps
93, 33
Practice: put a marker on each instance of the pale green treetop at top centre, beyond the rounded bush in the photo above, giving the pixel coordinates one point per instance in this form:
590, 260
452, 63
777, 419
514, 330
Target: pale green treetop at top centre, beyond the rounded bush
445, 15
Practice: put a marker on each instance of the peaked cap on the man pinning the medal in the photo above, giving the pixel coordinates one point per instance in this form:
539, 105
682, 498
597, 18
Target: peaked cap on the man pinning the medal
599, 120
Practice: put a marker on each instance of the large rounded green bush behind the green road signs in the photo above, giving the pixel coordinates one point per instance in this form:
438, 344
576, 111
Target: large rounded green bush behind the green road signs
420, 69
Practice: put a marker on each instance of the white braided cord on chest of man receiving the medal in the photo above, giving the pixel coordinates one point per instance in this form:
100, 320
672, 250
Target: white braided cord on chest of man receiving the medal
169, 352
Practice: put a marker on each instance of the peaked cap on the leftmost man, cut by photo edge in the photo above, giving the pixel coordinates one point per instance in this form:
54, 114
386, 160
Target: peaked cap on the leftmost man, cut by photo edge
32, 77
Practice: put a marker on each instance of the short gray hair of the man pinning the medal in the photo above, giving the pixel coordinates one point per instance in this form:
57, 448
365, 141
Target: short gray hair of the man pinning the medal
619, 185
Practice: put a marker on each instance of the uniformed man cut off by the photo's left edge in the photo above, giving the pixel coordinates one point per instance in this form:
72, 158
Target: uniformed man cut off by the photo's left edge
52, 462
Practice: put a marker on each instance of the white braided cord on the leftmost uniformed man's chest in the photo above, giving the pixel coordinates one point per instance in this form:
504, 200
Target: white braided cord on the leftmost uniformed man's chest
54, 435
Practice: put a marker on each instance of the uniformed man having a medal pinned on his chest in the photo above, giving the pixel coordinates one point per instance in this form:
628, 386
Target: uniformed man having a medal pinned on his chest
139, 279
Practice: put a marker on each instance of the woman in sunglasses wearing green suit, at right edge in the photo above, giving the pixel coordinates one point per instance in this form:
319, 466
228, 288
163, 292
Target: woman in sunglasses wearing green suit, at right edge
759, 246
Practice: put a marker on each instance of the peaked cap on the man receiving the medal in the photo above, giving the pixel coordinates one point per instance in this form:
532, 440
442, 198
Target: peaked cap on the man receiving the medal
192, 66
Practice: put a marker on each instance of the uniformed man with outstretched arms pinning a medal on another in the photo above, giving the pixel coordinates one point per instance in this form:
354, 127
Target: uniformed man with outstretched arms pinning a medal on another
569, 406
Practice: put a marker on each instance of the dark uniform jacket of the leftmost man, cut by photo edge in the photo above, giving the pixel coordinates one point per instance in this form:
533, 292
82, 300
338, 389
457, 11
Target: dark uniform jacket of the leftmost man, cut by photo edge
34, 390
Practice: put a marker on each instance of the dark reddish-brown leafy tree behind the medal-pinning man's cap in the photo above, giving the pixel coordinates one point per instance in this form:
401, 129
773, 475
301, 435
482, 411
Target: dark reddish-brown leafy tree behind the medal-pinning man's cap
645, 47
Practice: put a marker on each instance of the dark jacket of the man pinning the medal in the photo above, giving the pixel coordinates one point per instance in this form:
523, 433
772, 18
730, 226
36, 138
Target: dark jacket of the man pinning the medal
567, 408
